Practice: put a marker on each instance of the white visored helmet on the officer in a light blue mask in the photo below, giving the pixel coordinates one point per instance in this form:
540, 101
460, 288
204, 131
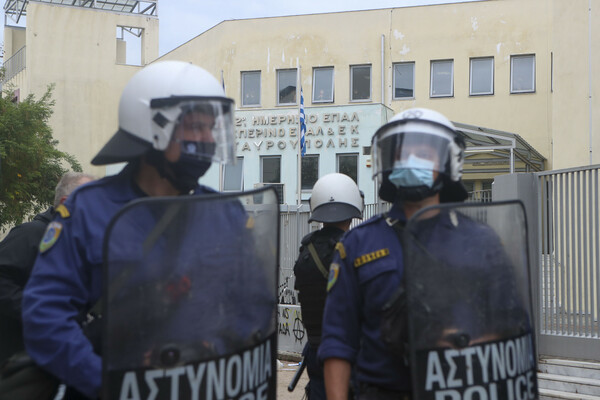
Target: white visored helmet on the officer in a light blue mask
423, 141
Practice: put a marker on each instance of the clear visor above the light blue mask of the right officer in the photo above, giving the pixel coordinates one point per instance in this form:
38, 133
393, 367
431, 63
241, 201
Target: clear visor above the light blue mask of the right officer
392, 149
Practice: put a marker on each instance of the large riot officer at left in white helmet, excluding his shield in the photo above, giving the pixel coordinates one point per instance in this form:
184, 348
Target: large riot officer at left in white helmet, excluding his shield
174, 121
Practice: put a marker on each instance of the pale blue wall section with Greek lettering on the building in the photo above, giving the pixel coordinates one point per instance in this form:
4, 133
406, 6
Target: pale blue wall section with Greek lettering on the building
331, 131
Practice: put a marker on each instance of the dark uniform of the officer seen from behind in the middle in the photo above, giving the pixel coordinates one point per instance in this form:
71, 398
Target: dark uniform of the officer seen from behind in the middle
311, 284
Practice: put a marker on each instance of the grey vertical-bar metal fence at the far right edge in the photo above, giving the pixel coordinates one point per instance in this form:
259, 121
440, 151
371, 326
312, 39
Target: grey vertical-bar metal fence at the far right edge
569, 222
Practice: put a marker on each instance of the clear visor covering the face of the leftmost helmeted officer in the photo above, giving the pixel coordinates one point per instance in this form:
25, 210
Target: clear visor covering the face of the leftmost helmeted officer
204, 129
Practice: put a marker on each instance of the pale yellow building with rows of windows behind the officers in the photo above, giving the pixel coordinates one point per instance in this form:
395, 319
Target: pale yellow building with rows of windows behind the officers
519, 78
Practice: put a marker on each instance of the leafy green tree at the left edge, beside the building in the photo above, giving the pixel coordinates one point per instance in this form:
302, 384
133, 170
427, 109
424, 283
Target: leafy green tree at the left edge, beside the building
30, 163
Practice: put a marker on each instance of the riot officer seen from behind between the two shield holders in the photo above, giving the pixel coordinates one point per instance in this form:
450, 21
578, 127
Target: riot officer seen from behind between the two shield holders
335, 201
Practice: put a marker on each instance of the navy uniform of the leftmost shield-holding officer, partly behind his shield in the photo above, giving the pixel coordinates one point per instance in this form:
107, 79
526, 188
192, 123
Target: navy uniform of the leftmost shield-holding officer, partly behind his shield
67, 278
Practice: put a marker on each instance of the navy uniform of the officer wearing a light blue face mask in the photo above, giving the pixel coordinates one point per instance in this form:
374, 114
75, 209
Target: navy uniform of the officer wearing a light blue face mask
367, 270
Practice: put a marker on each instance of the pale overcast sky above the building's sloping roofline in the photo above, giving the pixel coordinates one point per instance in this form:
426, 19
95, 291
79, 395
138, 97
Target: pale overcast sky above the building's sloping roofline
182, 20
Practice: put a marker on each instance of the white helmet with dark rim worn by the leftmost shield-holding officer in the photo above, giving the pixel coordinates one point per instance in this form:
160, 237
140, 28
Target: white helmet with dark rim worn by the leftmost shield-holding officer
153, 102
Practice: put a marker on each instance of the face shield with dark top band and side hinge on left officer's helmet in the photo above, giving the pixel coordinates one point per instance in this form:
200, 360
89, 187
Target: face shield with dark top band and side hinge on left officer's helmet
202, 128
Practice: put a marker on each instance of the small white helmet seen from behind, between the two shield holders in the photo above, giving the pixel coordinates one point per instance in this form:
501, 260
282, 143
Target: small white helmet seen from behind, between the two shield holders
335, 197
